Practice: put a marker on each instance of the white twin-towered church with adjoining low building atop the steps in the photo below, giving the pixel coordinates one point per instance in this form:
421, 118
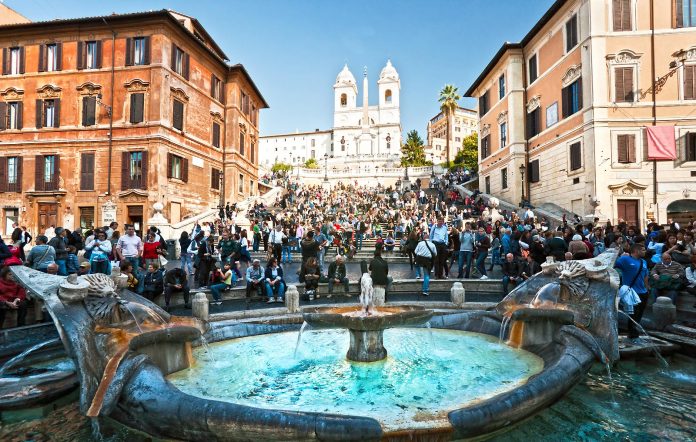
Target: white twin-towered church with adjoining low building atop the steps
360, 134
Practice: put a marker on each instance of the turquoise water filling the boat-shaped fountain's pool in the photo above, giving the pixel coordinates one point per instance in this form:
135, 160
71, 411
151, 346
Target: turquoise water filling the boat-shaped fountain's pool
427, 374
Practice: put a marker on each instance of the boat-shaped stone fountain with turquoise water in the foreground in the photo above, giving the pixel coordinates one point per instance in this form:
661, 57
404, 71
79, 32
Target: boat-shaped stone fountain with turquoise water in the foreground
455, 380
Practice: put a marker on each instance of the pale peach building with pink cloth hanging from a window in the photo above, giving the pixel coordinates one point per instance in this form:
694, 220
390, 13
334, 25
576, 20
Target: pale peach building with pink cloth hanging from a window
564, 113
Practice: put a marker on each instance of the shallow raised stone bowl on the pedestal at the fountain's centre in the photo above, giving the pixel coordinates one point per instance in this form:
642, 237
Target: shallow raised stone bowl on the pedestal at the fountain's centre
350, 318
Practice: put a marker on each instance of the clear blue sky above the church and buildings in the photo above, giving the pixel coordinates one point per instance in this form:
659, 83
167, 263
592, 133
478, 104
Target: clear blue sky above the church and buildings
294, 49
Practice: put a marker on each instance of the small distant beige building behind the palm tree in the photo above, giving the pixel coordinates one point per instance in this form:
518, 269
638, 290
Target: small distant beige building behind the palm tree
464, 123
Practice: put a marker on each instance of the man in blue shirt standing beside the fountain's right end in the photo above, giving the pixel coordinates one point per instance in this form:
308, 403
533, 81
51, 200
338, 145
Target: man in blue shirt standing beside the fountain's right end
634, 273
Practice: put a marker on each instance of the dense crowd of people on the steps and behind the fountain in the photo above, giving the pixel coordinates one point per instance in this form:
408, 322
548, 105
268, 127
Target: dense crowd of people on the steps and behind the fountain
438, 229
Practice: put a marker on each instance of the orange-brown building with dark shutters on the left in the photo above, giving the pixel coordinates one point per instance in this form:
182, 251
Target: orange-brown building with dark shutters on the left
102, 117
